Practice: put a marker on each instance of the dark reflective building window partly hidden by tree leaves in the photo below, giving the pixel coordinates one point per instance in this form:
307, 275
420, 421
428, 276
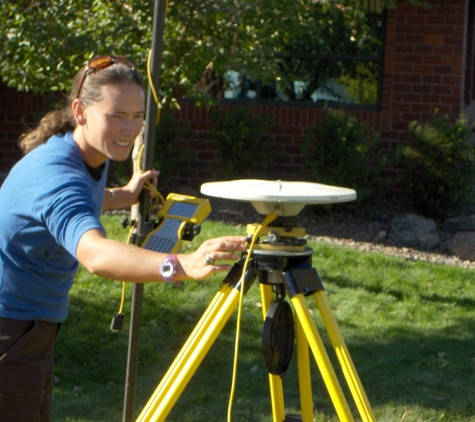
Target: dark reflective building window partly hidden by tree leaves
337, 57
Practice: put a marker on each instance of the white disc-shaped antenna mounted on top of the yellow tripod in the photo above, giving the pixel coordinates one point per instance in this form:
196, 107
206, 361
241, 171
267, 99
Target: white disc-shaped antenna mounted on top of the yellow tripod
285, 199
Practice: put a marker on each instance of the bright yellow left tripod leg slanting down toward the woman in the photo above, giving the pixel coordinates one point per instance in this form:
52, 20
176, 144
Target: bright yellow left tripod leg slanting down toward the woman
191, 355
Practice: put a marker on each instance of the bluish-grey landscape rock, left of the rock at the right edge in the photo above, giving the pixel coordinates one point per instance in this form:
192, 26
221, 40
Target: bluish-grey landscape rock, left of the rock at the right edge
414, 231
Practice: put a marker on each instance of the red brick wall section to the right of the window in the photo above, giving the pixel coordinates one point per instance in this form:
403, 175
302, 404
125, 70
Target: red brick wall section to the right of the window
424, 64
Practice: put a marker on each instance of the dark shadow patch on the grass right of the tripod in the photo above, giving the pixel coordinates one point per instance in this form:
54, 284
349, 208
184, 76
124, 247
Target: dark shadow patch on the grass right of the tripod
435, 371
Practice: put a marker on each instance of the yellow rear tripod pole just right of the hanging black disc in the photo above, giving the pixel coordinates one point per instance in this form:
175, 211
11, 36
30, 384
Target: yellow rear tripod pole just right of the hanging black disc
303, 365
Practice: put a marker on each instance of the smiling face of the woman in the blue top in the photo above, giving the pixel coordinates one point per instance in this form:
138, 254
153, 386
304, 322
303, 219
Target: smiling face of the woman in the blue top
108, 128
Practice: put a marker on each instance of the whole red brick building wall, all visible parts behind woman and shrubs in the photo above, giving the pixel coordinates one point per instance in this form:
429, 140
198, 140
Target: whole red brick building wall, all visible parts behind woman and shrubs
424, 70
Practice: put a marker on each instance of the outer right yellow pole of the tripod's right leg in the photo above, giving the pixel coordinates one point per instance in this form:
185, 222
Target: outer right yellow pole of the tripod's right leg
343, 355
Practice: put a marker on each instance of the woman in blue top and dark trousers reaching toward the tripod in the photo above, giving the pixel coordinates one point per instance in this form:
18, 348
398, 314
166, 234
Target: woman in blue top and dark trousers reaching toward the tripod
49, 221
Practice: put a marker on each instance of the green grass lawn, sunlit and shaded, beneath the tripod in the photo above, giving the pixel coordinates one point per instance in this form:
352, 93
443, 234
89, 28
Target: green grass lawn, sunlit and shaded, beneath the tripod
409, 327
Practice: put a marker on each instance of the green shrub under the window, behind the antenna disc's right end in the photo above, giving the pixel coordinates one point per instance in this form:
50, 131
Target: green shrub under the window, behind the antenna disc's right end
341, 151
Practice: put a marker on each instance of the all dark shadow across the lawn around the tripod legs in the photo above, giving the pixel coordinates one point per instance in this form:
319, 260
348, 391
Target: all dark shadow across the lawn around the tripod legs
398, 366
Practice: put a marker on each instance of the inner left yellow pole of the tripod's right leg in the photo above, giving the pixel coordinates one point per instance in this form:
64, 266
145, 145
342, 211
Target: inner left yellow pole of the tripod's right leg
323, 361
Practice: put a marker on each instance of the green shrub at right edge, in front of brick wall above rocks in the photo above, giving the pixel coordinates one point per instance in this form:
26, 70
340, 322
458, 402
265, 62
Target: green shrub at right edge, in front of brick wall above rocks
438, 166
